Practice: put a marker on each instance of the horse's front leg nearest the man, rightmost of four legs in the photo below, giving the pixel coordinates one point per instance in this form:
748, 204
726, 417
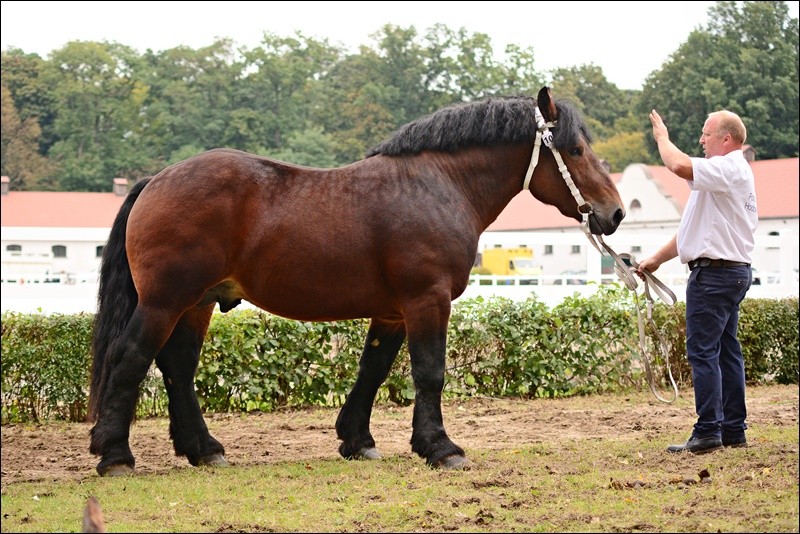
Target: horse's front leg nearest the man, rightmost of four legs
426, 324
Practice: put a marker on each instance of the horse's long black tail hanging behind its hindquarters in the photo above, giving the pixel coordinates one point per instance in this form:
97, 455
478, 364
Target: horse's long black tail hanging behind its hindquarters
116, 300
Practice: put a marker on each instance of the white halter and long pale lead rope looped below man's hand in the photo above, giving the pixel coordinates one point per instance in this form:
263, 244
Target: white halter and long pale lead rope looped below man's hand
621, 267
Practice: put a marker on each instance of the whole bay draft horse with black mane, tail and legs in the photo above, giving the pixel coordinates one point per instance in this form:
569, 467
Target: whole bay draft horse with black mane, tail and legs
391, 237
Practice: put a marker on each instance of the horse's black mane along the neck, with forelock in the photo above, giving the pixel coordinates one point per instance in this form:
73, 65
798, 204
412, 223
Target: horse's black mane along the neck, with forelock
488, 122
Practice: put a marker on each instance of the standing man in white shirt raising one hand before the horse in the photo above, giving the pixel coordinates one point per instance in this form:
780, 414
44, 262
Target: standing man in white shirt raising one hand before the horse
715, 238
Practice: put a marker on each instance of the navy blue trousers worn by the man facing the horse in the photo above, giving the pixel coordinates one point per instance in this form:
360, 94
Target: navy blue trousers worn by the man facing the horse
713, 296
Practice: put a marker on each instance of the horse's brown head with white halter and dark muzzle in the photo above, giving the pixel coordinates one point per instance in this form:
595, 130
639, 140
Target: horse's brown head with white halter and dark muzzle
581, 186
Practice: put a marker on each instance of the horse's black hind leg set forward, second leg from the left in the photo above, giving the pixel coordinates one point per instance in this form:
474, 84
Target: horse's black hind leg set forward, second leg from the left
178, 361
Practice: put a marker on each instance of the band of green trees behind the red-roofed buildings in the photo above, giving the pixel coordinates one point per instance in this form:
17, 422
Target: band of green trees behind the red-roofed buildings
92, 111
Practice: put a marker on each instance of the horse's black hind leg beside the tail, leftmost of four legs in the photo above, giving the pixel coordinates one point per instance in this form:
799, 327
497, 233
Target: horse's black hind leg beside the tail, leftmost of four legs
130, 356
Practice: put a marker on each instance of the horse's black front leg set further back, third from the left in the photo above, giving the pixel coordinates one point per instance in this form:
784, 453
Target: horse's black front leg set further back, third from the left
384, 340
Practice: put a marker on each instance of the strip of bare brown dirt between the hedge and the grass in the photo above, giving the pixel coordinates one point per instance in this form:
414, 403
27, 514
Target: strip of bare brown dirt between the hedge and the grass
56, 451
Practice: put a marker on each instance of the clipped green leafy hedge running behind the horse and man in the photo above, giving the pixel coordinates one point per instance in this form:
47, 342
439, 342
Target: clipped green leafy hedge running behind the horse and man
252, 360
